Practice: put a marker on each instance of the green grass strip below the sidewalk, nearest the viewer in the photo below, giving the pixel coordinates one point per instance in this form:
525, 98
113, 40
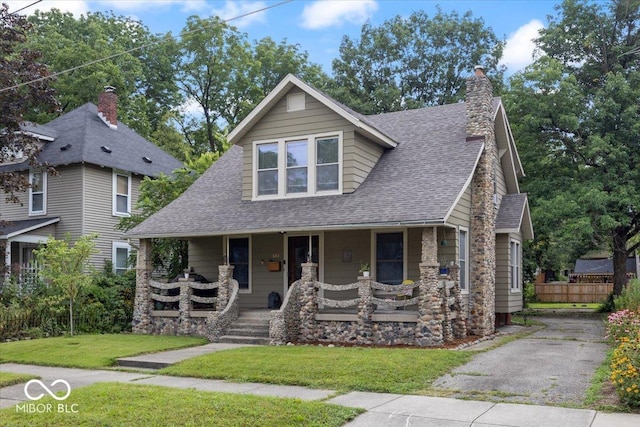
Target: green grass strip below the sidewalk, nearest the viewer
112, 404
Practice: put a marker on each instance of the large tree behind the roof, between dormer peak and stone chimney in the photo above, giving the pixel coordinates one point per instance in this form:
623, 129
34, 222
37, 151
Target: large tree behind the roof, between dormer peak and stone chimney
414, 61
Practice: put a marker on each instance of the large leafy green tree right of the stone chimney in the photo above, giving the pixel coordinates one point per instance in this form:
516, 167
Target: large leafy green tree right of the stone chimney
576, 111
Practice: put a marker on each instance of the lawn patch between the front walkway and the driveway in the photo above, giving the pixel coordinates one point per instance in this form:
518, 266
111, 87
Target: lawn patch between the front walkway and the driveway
396, 370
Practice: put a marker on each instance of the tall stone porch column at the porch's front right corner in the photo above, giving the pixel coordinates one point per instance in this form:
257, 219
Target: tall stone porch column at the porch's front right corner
429, 325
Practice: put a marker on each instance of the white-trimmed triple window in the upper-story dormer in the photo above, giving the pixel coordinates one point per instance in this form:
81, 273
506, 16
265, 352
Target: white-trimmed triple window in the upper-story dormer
301, 166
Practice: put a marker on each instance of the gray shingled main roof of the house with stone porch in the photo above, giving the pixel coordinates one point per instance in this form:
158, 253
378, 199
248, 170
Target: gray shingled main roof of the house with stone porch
416, 182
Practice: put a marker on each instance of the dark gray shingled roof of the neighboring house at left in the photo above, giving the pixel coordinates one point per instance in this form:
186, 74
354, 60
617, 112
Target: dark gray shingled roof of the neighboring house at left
85, 133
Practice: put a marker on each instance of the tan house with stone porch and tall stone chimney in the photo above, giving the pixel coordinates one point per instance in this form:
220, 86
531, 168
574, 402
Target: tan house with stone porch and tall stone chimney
311, 189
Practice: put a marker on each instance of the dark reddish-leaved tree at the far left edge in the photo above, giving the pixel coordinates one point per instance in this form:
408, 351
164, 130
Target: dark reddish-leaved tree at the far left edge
24, 88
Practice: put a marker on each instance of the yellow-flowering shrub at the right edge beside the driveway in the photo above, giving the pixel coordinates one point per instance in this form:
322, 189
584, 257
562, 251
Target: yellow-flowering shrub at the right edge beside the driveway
625, 370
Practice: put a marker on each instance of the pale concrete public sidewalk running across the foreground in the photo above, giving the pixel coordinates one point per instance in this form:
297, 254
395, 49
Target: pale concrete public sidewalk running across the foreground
383, 410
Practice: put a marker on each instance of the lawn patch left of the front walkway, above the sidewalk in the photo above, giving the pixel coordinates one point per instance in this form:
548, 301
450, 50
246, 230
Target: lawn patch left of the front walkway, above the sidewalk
89, 351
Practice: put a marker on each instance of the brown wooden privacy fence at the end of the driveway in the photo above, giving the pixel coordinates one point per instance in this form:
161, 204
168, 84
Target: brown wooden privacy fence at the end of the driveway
573, 292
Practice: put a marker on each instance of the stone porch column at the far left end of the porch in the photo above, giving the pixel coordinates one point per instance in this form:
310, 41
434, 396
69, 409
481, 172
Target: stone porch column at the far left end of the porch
141, 323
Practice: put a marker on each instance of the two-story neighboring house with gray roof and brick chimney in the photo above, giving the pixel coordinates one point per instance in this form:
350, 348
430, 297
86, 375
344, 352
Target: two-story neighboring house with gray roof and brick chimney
100, 163
